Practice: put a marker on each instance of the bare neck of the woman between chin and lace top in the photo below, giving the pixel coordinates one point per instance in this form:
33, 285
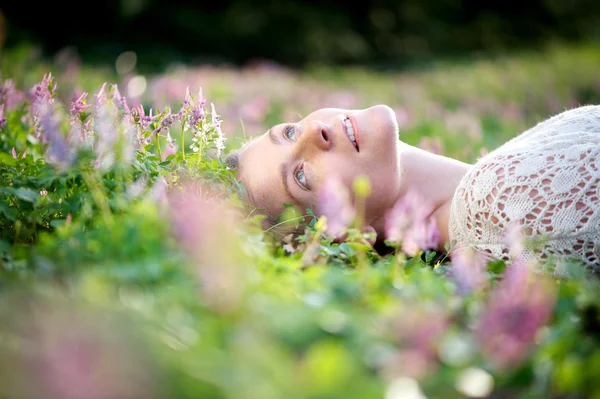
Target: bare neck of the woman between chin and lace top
435, 177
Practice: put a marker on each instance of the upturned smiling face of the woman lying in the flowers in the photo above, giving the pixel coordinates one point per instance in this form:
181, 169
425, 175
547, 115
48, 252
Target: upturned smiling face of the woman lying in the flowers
290, 162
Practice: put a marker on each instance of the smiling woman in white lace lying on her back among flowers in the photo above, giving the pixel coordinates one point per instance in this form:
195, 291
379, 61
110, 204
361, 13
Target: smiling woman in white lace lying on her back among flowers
545, 181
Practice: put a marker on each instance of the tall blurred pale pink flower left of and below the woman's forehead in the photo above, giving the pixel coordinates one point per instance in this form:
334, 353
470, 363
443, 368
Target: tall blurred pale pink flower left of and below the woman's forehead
207, 230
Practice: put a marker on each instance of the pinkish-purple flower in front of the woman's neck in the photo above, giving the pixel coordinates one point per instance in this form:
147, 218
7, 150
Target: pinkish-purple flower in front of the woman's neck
410, 222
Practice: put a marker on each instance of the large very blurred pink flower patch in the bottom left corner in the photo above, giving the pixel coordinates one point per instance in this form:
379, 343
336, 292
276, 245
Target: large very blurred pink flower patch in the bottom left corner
55, 349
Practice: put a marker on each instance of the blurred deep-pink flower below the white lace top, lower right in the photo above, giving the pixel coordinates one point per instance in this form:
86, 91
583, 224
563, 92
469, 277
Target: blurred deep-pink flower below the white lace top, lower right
517, 308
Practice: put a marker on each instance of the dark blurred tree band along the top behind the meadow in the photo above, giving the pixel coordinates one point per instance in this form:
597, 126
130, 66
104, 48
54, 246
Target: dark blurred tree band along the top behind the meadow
298, 33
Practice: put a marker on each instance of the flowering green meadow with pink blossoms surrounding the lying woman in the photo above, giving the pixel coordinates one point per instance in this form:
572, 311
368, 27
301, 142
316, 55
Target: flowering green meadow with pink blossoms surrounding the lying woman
131, 269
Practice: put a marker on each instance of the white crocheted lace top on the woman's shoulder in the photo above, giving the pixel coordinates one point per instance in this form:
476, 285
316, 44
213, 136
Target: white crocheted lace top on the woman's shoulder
547, 182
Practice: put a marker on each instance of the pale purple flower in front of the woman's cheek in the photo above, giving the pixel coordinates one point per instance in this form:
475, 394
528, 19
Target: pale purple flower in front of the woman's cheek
335, 204
